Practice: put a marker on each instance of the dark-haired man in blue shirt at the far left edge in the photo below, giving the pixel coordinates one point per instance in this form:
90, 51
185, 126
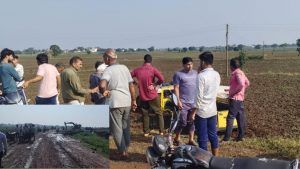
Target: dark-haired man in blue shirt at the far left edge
8, 77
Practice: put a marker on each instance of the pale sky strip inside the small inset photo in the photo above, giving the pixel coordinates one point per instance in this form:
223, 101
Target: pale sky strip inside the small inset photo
87, 116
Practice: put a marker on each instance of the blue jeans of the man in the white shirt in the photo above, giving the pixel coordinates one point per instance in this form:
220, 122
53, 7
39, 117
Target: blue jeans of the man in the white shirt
206, 128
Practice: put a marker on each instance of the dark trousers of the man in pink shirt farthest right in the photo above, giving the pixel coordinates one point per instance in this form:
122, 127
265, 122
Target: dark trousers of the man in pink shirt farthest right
236, 110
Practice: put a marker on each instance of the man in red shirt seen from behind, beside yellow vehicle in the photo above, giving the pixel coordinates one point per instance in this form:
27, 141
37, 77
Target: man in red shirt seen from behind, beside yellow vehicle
146, 75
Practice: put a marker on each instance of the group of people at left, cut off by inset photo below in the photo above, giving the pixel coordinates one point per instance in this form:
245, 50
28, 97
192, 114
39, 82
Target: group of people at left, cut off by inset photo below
54, 79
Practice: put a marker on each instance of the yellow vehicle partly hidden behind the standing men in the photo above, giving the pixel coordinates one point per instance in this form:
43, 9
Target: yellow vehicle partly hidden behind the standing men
167, 98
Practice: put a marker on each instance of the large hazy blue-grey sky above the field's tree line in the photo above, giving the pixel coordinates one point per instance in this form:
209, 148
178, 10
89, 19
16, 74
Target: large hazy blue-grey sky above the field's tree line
144, 23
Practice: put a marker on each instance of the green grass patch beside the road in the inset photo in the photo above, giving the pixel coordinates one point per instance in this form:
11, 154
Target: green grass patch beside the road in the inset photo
94, 142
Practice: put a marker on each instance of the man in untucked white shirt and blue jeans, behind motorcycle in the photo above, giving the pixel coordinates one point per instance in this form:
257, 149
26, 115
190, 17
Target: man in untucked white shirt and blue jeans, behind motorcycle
205, 109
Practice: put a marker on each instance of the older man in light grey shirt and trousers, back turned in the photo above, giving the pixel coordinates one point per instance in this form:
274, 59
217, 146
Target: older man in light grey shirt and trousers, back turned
117, 81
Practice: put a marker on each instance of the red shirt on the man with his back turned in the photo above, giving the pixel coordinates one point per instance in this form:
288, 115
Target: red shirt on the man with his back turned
146, 75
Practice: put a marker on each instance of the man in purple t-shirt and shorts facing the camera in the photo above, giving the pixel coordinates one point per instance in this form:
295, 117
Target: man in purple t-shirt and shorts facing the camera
184, 82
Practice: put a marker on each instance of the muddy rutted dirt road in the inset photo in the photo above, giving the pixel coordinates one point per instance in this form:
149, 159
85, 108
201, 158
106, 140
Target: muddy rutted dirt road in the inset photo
52, 150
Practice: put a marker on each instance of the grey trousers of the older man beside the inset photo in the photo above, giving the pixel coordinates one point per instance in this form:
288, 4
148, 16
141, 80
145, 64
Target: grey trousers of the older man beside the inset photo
120, 127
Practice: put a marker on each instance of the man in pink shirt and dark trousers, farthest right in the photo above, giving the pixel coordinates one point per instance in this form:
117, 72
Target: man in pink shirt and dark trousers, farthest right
238, 84
